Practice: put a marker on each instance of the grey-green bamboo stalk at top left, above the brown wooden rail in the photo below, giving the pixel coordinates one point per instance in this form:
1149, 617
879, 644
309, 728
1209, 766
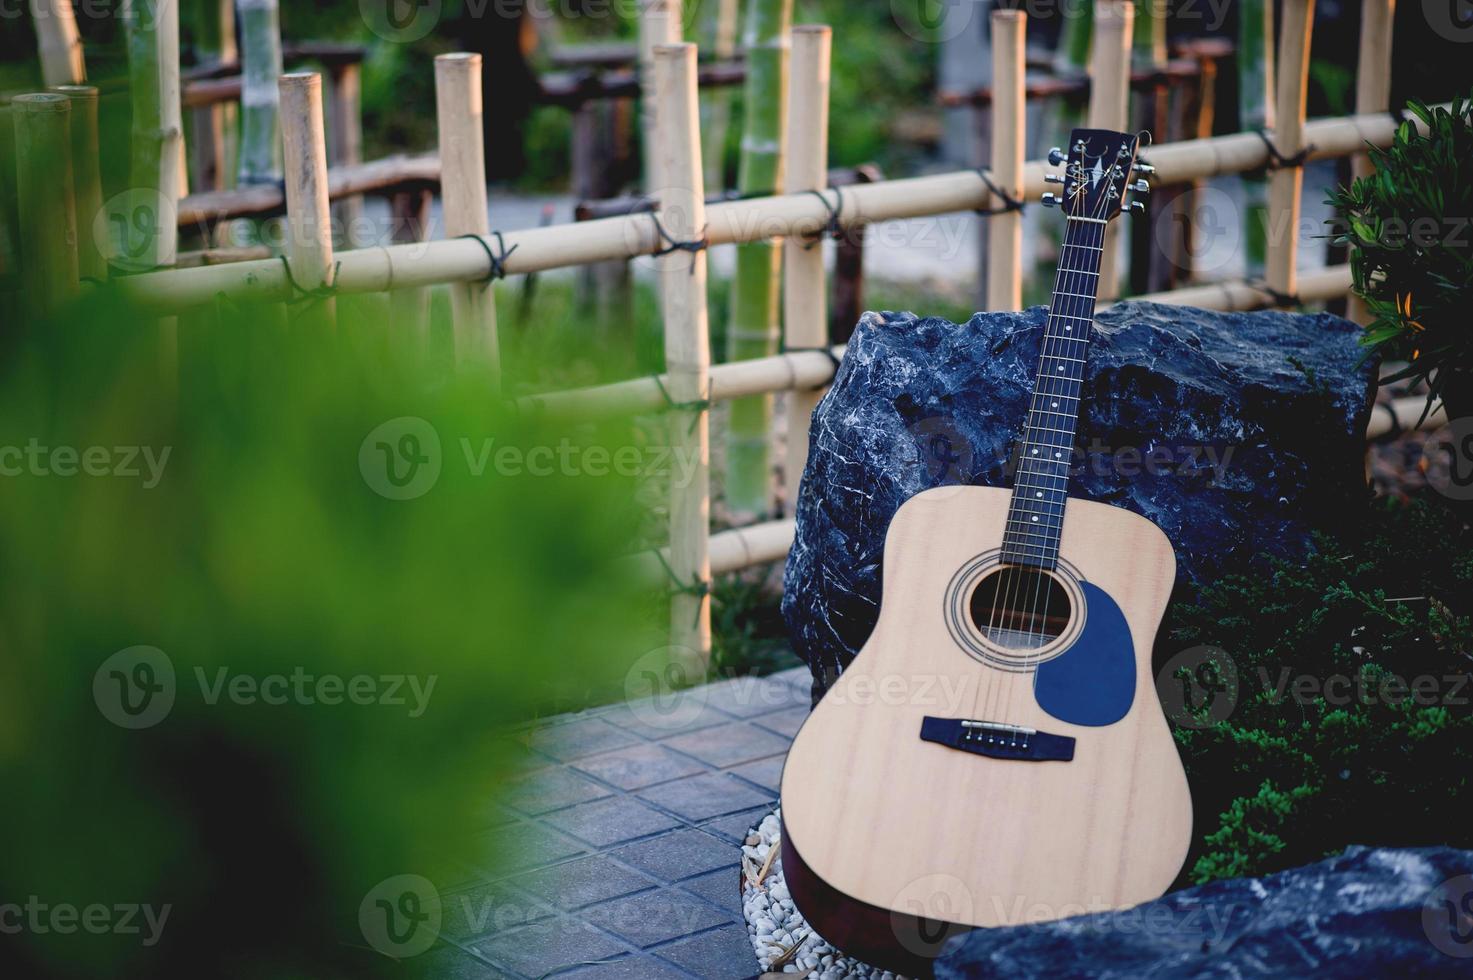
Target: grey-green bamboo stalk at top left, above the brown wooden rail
260, 99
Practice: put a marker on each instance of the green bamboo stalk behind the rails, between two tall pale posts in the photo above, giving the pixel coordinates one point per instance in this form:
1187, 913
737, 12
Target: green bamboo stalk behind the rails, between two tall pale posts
755, 325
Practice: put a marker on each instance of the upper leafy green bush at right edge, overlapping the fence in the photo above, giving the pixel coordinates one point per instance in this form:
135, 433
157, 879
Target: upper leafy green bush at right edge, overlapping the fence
1412, 250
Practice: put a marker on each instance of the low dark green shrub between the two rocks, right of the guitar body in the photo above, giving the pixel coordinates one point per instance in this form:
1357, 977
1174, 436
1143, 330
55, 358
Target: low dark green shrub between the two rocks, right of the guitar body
1351, 720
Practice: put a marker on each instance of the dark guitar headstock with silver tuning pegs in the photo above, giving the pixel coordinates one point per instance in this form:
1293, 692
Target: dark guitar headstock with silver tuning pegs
1100, 175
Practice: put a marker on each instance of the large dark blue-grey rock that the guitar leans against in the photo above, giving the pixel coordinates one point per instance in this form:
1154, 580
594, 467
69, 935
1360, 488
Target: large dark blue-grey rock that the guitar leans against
1235, 434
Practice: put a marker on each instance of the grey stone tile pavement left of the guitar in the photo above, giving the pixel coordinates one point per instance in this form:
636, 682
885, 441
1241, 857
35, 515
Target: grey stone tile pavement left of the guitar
619, 850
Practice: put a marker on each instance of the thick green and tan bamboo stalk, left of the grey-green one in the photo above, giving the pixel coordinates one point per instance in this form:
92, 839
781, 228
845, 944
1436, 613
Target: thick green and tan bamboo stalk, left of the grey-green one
157, 173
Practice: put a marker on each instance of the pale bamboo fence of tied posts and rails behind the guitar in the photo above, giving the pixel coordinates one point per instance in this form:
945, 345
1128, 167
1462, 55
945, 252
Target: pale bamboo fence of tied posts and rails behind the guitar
690, 384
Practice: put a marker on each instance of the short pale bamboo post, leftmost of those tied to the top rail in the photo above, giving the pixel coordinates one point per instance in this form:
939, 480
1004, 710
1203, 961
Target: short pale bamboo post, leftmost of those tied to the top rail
309, 217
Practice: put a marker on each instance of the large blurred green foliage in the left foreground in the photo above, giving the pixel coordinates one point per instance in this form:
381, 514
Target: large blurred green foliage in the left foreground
267, 549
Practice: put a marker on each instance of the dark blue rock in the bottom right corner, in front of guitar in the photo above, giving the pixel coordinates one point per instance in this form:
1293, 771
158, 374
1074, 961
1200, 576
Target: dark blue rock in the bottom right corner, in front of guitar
1366, 913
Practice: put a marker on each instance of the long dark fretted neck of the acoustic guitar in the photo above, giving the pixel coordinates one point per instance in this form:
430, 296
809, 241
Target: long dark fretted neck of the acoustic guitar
1047, 452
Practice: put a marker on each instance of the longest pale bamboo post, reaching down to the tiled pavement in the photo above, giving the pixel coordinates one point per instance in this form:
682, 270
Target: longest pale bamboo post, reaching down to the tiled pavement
687, 347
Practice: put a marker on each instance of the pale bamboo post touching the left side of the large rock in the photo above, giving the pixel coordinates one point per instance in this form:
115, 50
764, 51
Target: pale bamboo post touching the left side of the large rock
805, 318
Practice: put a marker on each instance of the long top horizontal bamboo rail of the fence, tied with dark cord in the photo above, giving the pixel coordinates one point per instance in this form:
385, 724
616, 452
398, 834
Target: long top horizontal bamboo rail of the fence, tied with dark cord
630, 237
